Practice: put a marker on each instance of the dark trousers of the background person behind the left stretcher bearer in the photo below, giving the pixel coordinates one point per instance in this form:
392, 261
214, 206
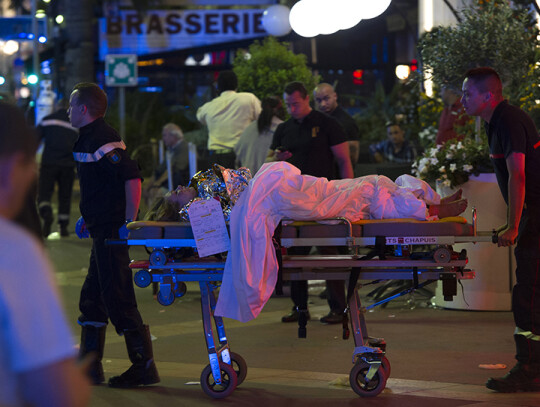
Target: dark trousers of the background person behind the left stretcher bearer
49, 175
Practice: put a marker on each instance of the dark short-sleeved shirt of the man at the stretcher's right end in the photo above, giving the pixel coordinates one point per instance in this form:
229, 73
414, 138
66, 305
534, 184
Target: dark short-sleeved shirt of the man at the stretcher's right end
512, 130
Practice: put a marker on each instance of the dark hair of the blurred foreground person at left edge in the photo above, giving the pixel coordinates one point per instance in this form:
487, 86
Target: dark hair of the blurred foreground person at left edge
15, 135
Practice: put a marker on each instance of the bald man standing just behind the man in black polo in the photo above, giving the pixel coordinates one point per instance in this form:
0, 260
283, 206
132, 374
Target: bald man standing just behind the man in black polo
326, 101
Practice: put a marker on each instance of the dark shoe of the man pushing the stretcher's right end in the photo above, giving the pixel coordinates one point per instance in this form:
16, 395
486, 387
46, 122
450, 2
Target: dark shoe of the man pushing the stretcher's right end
521, 377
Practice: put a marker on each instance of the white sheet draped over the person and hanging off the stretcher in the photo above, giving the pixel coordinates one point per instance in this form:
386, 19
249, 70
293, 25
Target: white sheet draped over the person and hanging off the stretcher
279, 191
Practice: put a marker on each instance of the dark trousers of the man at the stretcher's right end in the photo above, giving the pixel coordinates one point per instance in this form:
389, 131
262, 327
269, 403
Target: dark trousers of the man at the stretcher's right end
526, 292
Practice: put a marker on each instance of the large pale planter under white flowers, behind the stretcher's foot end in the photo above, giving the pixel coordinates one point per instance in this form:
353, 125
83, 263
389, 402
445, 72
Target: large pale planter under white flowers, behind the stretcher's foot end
494, 266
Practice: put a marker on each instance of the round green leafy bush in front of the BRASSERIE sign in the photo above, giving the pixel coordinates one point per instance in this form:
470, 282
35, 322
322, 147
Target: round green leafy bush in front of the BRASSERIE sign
268, 66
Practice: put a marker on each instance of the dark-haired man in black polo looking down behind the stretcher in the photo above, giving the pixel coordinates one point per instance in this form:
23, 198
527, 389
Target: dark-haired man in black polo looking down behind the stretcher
313, 142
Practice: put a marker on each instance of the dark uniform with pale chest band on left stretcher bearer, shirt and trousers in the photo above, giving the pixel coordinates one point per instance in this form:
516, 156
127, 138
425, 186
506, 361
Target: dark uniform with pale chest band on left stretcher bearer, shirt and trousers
103, 167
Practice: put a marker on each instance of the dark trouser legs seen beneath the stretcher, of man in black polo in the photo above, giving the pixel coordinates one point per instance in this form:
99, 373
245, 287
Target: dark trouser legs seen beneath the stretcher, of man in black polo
335, 289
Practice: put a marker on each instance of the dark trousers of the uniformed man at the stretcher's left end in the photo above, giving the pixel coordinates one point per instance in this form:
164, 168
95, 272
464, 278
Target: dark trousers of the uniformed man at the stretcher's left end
108, 292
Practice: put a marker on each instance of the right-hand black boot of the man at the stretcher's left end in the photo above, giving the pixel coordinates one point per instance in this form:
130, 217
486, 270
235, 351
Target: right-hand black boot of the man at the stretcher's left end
143, 371
